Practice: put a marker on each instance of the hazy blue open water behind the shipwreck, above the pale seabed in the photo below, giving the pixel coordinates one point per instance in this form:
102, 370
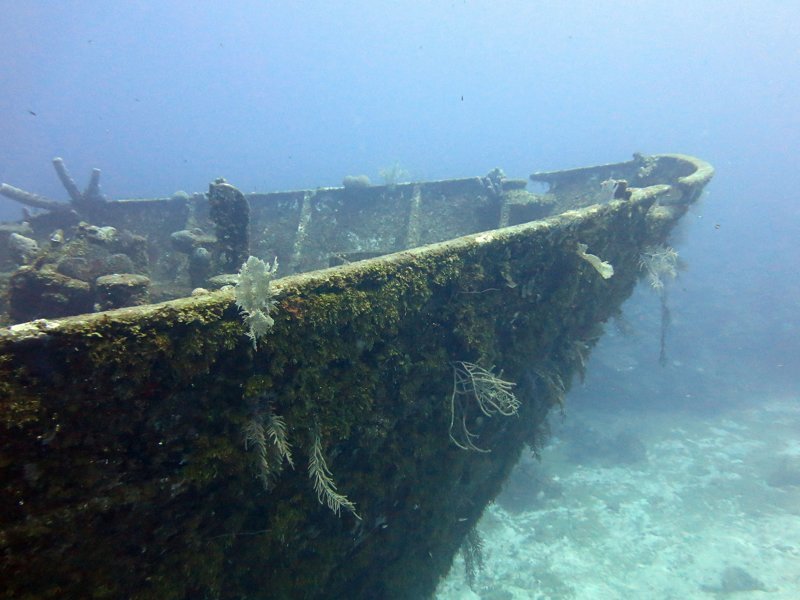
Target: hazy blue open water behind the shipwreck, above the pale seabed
287, 95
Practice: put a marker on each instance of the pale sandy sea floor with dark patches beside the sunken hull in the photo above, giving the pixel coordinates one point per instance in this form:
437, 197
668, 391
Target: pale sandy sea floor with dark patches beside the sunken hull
657, 504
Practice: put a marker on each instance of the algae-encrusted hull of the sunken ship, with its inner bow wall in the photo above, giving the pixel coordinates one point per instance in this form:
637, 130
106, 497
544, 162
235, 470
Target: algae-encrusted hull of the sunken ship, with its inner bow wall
152, 452
